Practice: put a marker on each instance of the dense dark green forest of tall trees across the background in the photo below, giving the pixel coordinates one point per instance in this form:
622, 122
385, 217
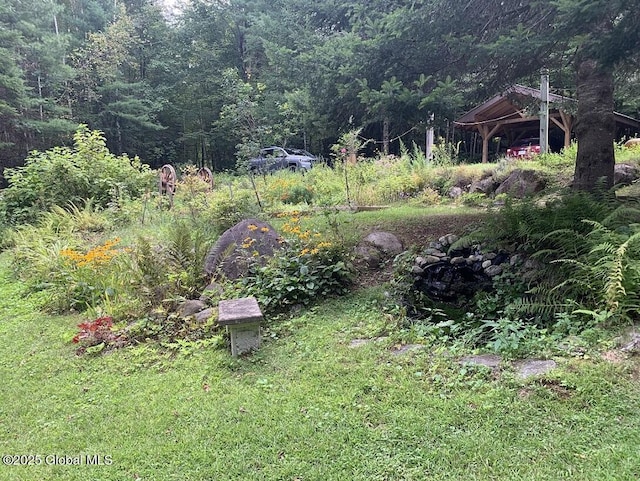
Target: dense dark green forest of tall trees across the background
211, 81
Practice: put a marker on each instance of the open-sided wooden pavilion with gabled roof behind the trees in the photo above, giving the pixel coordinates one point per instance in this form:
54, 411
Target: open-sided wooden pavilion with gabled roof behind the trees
515, 113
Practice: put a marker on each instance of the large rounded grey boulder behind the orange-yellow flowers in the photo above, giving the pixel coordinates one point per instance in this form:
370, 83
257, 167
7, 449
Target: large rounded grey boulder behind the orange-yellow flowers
249, 241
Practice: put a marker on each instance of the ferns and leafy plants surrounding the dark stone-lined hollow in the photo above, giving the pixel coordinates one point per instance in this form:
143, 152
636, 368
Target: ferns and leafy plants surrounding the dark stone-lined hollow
577, 269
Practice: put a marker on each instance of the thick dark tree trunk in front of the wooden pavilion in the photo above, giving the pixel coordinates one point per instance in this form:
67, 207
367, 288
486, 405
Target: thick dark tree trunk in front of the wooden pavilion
595, 127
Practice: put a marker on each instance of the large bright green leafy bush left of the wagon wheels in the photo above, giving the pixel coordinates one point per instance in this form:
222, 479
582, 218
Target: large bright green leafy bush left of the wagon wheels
63, 176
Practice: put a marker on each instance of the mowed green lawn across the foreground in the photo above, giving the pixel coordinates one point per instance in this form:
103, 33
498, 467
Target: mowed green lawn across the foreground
306, 407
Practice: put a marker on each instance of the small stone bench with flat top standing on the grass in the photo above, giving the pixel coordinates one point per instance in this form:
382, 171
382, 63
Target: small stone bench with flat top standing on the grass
242, 319
